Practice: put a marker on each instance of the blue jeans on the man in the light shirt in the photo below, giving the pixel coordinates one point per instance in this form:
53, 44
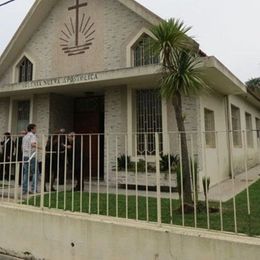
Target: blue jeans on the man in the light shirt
30, 168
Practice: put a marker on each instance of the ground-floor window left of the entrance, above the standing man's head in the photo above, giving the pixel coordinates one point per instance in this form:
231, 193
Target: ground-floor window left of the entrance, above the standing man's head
23, 115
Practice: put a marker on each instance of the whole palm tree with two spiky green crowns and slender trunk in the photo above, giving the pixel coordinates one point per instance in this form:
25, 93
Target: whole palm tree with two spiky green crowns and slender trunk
181, 76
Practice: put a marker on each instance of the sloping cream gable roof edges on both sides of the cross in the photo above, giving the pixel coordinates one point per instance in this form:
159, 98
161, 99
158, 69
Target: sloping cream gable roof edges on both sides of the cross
36, 16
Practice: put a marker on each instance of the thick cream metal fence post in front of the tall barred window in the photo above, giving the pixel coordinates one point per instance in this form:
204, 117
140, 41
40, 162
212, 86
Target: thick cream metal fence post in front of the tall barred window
158, 178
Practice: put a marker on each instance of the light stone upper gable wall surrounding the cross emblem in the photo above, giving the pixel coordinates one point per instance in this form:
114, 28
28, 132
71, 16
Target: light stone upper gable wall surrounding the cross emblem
107, 52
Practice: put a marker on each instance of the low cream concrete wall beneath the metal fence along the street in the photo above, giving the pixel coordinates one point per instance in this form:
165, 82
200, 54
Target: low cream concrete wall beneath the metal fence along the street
58, 235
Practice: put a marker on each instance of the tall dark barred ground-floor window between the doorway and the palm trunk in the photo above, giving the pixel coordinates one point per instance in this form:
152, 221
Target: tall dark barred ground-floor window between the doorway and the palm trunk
149, 121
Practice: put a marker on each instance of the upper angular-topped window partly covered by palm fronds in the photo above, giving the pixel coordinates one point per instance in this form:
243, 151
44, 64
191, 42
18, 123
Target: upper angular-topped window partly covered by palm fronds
143, 52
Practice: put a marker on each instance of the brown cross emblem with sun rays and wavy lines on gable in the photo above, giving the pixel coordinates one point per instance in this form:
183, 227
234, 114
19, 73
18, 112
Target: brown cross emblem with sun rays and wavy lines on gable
77, 35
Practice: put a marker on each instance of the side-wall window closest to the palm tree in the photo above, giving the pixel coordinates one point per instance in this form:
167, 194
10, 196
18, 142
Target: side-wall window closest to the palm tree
209, 128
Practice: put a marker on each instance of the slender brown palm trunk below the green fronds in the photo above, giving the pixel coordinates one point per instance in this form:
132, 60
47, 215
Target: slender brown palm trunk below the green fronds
177, 104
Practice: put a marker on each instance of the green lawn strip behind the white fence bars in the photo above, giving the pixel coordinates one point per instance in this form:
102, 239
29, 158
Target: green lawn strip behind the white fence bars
147, 209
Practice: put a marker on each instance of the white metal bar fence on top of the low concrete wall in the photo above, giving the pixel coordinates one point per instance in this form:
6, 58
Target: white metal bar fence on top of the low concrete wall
200, 180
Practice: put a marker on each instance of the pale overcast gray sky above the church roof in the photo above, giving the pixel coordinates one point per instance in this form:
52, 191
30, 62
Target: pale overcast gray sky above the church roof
227, 29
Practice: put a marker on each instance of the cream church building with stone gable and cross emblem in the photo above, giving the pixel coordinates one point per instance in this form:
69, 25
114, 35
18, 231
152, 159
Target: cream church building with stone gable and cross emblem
87, 66
